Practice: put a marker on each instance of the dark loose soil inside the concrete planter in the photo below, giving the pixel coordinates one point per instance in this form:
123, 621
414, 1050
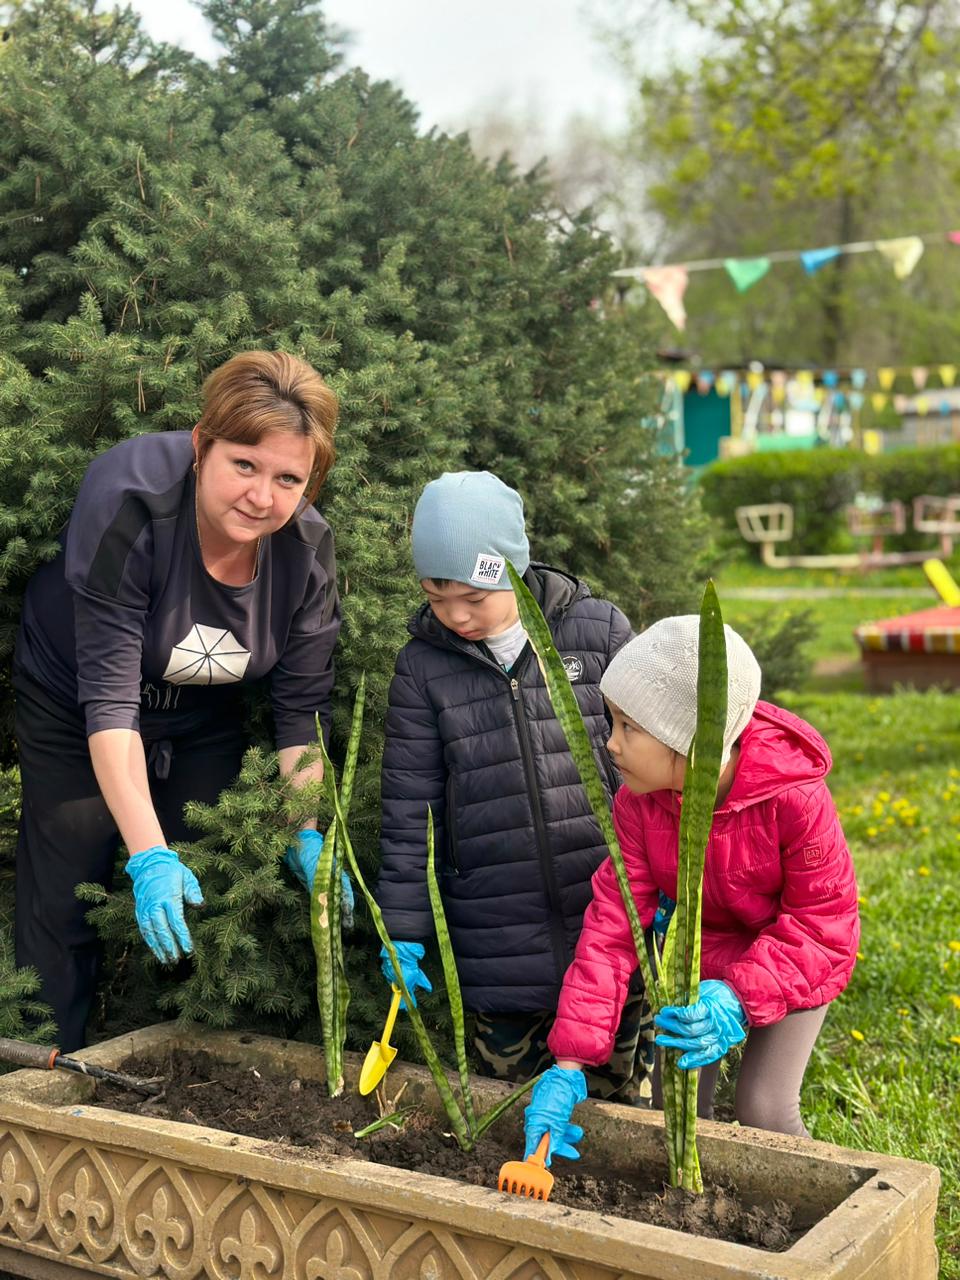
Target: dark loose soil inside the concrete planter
299, 1114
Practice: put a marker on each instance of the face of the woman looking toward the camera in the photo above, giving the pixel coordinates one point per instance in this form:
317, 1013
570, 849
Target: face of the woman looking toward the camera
249, 491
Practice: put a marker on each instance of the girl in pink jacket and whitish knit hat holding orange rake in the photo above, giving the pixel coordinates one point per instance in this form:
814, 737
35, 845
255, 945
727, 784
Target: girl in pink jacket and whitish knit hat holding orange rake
780, 918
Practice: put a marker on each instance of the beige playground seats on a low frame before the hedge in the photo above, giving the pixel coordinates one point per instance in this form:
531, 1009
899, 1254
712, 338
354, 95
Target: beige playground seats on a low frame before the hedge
772, 523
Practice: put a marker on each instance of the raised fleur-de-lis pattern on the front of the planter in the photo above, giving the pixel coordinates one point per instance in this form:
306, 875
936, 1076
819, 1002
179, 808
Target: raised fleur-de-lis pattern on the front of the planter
135, 1215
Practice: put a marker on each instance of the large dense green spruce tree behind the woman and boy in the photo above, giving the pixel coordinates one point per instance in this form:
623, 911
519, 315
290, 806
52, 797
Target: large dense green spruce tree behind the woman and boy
158, 214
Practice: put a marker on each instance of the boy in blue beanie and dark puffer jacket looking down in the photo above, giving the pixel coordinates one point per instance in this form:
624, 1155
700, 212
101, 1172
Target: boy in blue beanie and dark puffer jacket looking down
472, 734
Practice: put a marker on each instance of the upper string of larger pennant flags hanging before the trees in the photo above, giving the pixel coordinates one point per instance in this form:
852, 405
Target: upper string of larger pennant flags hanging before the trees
669, 282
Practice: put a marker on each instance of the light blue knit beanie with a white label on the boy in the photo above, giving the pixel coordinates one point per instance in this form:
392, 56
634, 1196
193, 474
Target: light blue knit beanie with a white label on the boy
467, 525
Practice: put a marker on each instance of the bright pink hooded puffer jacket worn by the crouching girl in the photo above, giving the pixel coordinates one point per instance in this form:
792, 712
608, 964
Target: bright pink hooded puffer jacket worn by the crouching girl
780, 918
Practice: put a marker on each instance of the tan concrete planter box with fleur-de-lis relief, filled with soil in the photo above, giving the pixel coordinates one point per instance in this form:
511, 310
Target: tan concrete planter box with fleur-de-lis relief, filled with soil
88, 1190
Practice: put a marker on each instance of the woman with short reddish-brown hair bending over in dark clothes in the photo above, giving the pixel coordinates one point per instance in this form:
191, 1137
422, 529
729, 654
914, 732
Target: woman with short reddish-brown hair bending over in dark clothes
193, 563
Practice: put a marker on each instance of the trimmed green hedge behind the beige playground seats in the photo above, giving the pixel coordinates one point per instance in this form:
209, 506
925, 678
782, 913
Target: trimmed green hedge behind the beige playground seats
821, 484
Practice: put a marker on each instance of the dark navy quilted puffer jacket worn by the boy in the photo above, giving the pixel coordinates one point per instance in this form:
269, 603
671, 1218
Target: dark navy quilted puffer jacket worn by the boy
516, 842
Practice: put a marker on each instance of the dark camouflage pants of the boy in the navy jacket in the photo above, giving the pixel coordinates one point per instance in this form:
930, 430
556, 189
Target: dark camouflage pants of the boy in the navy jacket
514, 1048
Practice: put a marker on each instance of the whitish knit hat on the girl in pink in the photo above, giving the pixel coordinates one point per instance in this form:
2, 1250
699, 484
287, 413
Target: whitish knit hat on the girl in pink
653, 679
